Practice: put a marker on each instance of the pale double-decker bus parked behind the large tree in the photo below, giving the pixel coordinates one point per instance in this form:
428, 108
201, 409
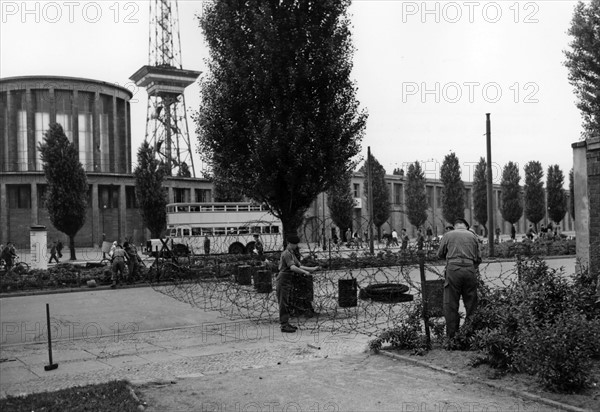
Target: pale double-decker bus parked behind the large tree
230, 227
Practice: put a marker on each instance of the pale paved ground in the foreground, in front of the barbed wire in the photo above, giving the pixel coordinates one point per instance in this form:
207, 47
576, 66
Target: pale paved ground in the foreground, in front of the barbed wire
224, 365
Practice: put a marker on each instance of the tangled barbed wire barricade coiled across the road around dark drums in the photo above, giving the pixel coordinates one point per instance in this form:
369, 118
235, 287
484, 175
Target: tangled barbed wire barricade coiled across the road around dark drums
355, 291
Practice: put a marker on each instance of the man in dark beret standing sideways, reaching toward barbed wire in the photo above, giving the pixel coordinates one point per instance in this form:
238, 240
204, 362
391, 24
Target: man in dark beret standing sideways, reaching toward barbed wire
289, 265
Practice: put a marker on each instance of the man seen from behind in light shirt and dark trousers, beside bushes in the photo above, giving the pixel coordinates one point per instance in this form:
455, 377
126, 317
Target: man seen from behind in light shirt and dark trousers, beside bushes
460, 248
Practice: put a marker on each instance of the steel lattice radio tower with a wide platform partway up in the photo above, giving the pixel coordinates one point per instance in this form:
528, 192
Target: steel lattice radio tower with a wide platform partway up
165, 80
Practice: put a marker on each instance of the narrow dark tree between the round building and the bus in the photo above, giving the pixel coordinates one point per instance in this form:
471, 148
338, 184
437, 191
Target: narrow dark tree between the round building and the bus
152, 201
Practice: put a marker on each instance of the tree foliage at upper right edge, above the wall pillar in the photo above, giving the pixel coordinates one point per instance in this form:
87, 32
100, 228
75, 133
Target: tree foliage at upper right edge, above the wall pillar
583, 62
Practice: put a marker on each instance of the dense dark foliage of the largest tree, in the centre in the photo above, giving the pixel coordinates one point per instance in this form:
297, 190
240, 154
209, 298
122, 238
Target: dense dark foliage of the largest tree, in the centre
279, 120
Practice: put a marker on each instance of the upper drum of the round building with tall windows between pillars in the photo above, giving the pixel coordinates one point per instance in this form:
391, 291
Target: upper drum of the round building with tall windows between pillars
94, 115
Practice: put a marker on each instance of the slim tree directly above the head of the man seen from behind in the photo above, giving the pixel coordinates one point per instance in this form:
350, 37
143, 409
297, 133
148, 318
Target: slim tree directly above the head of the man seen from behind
453, 190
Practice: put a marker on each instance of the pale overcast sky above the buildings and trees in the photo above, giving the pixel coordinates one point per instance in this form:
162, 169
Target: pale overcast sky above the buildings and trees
426, 72
